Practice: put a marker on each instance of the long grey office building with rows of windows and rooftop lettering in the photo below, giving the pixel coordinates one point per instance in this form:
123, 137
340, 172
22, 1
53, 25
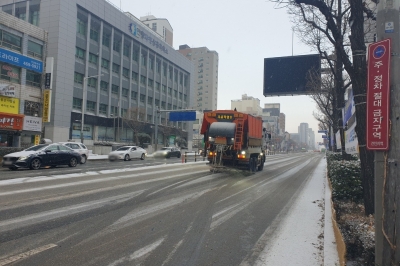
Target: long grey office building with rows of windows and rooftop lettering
110, 66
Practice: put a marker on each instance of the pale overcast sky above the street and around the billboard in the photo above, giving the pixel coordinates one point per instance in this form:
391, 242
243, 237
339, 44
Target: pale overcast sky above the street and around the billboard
243, 33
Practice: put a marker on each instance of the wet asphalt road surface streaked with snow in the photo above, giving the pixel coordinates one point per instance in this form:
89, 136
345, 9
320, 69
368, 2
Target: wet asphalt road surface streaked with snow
150, 212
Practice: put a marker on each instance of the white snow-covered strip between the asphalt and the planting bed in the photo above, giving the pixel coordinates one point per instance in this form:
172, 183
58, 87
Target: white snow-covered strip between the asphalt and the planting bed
305, 237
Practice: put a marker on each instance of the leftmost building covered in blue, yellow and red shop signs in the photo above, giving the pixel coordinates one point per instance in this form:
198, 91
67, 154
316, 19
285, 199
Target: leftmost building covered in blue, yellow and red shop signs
23, 48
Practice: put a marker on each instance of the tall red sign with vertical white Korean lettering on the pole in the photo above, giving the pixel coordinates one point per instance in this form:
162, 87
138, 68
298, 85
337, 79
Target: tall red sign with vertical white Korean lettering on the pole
378, 100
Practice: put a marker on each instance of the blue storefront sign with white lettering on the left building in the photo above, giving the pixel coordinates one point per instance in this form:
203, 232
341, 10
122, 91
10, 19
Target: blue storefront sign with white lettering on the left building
20, 60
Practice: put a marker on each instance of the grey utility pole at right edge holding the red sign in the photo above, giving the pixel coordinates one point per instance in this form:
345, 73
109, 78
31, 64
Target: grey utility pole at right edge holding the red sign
387, 164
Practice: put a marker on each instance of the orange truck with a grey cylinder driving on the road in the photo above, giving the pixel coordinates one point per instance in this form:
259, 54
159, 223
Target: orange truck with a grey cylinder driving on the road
233, 139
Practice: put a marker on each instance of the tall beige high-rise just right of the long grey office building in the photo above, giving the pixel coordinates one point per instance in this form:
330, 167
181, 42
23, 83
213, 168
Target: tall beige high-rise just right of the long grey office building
206, 76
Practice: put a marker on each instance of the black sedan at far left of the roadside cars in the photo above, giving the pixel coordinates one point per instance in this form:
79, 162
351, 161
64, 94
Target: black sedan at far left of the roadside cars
42, 155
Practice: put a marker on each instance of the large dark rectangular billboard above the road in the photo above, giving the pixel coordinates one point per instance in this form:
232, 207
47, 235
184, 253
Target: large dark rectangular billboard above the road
289, 75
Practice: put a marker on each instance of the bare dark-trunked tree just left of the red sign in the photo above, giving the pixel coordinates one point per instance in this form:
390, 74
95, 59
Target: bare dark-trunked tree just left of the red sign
333, 24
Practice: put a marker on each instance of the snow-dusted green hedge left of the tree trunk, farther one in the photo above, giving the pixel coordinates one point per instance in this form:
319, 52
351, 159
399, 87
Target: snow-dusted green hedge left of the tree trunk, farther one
345, 177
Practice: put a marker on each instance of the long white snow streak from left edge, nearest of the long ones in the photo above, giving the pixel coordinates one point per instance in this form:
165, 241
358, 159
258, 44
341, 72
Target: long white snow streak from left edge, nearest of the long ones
11, 224
